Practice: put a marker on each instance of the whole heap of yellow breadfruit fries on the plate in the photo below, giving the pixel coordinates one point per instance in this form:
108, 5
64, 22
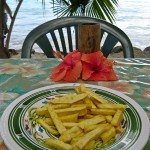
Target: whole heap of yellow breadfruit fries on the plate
80, 120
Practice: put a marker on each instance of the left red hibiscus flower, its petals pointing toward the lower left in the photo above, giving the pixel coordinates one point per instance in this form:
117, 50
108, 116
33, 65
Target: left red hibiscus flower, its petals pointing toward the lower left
70, 69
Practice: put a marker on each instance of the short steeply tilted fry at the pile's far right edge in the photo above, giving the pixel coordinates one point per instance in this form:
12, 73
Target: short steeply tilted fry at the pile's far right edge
117, 118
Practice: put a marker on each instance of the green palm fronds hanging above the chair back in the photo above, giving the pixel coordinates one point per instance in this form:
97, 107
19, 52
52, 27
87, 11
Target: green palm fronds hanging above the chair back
103, 9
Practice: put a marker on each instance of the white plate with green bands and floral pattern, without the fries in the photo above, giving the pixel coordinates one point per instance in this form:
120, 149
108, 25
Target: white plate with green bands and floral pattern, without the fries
20, 131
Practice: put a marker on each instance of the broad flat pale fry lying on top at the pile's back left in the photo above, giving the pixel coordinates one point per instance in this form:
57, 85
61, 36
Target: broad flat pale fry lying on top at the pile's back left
69, 99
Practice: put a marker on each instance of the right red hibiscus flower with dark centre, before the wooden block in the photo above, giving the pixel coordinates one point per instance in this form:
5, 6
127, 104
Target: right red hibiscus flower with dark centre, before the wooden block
96, 67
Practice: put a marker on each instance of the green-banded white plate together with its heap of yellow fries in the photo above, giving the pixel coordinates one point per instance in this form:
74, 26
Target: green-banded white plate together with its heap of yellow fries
74, 116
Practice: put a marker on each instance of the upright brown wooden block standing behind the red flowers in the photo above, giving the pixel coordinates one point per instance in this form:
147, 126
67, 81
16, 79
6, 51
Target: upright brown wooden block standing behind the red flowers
89, 38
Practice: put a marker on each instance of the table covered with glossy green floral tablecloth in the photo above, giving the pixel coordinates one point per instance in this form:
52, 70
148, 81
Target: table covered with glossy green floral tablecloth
19, 76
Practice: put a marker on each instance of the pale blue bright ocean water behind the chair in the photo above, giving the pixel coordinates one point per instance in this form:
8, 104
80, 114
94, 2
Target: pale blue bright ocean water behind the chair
133, 17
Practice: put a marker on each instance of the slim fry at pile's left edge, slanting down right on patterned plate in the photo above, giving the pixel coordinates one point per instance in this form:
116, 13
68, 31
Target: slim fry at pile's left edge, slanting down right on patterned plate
47, 127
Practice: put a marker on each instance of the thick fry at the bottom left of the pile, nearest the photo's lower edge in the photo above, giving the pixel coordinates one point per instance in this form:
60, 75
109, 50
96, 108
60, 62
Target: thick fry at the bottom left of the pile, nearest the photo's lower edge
55, 143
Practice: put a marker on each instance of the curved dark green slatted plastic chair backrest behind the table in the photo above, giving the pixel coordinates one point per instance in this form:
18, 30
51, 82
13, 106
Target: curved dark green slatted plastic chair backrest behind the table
61, 34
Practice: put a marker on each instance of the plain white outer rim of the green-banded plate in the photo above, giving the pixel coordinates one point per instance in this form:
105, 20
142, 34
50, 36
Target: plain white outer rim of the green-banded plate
145, 128
